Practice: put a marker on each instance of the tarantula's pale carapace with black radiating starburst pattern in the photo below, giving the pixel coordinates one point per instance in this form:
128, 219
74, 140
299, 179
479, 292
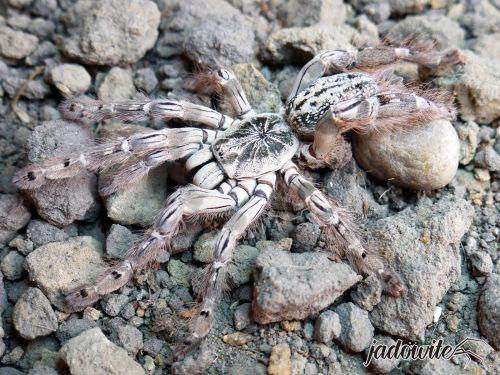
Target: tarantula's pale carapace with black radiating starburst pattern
255, 146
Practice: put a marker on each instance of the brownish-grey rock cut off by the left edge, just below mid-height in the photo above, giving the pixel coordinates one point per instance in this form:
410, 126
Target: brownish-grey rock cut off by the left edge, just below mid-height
13, 216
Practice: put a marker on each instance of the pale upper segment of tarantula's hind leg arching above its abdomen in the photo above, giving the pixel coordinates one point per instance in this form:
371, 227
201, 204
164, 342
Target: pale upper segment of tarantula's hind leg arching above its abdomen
325, 63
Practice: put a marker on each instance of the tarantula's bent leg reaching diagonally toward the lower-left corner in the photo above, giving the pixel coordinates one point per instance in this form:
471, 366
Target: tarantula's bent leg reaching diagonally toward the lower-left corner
184, 202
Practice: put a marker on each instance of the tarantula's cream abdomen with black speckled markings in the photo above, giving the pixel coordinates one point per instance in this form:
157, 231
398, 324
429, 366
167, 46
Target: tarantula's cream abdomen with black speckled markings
309, 105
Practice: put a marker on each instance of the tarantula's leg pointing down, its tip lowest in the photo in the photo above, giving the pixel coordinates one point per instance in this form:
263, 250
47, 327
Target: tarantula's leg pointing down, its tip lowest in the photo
213, 280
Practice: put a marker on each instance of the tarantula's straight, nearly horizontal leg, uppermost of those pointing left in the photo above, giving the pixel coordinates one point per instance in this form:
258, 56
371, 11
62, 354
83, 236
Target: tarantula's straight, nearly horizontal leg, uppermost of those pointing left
142, 110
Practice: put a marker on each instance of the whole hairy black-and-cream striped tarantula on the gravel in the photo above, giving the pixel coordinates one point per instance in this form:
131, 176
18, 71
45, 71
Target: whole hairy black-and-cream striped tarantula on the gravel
235, 162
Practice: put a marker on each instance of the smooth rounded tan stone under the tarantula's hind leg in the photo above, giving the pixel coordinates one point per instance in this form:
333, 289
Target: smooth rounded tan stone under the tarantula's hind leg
422, 158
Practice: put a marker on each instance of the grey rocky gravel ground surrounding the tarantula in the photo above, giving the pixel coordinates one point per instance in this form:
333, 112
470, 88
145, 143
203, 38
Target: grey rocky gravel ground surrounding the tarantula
291, 310
